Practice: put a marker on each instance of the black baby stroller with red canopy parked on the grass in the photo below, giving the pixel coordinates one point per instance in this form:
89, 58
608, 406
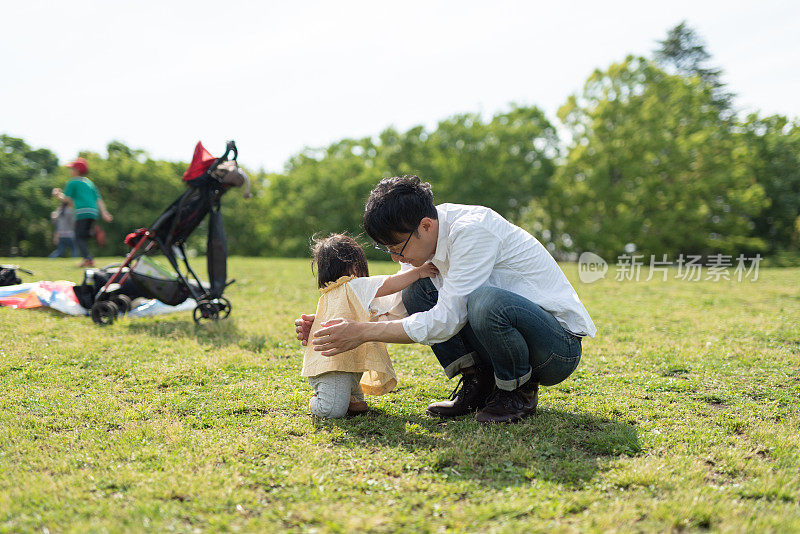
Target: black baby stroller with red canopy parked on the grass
207, 178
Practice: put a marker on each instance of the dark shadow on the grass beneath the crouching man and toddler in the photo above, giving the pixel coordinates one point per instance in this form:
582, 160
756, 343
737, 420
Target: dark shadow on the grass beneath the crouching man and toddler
568, 448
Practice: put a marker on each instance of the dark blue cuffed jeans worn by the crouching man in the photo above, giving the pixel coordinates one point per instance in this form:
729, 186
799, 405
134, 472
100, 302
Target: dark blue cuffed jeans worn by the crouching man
507, 333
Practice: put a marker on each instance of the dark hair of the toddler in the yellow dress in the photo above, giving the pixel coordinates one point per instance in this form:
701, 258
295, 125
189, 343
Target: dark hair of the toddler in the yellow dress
335, 256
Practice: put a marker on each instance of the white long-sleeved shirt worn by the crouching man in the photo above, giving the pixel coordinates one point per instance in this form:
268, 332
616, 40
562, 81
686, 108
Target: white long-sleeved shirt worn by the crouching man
477, 247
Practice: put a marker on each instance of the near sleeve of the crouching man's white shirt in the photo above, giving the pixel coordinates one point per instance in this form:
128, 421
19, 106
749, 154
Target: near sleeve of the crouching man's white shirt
472, 256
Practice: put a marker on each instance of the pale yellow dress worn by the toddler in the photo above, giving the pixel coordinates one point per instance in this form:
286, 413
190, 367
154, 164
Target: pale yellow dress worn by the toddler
339, 300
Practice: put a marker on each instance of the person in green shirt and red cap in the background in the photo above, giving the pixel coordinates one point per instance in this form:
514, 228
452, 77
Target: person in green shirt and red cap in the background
85, 199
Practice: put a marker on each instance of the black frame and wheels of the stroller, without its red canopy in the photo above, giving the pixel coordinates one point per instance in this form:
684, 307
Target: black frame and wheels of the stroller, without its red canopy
109, 301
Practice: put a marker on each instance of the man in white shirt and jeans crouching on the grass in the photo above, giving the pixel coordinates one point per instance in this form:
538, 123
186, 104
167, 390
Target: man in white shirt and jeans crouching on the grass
500, 313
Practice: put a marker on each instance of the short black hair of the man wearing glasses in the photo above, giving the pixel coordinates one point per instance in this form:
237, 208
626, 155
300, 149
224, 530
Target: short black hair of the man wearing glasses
396, 206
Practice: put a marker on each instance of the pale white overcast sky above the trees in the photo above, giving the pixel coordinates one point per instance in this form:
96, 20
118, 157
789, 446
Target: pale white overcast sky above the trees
280, 76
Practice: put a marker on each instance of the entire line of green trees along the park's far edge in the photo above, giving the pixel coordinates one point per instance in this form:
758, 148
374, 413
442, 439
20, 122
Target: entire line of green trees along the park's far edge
657, 161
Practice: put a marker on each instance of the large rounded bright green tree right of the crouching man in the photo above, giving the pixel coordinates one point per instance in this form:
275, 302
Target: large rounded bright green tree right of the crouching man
653, 164
